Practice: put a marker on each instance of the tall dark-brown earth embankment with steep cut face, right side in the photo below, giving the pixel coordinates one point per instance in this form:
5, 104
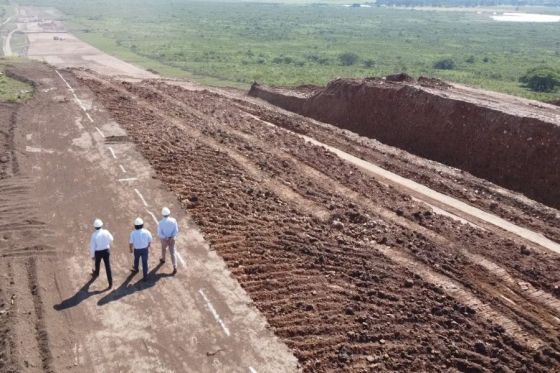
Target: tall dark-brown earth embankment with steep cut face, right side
510, 141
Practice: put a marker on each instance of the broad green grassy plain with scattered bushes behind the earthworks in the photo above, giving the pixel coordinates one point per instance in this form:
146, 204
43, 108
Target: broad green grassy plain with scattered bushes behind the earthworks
236, 43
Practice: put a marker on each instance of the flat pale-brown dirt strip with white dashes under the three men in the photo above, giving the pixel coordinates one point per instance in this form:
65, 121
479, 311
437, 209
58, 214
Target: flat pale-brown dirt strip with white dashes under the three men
199, 320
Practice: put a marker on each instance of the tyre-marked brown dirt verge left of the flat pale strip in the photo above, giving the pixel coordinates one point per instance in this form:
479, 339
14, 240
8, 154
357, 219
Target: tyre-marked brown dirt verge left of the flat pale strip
21, 241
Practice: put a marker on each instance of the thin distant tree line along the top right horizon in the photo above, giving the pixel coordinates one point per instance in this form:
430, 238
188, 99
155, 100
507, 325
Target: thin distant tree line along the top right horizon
466, 3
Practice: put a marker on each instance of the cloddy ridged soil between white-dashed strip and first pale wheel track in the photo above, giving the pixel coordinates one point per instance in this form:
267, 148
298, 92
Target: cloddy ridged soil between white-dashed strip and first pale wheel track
338, 303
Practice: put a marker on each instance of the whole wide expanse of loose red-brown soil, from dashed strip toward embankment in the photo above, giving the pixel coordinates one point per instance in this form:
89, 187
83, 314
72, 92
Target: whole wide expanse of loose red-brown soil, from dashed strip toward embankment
308, 236
